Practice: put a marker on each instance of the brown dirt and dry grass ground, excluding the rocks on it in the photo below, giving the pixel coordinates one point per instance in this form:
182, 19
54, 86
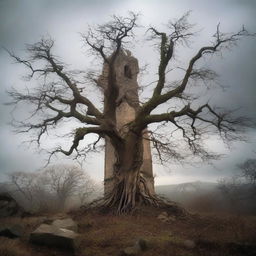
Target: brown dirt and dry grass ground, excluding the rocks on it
107, 234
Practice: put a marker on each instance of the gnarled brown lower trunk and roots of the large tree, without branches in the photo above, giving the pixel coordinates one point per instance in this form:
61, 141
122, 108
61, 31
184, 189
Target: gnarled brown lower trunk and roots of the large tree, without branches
130, 186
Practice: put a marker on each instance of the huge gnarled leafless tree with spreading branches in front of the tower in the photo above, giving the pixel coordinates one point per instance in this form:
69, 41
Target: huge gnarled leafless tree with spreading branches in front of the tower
61, 96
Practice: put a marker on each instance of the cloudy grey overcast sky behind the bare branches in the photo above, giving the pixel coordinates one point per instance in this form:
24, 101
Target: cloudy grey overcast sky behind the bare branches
26, 21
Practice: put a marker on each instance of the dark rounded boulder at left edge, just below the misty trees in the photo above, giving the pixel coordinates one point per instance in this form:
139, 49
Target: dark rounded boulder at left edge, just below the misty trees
9, 207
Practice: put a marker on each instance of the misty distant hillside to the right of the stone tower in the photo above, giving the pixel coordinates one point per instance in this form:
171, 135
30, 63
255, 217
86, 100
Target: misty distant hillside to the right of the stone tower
207, 197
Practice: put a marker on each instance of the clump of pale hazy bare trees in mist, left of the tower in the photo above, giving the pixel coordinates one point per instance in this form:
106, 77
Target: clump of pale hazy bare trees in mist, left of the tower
50, 188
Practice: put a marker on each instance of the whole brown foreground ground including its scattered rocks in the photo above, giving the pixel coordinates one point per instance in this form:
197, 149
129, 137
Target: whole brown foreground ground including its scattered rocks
147, 232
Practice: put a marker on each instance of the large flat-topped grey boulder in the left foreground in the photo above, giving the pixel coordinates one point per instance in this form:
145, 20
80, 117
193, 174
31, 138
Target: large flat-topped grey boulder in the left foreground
51, 235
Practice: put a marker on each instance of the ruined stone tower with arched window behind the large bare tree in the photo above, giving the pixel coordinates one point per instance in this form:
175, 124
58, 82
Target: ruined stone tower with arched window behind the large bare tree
126, 69
